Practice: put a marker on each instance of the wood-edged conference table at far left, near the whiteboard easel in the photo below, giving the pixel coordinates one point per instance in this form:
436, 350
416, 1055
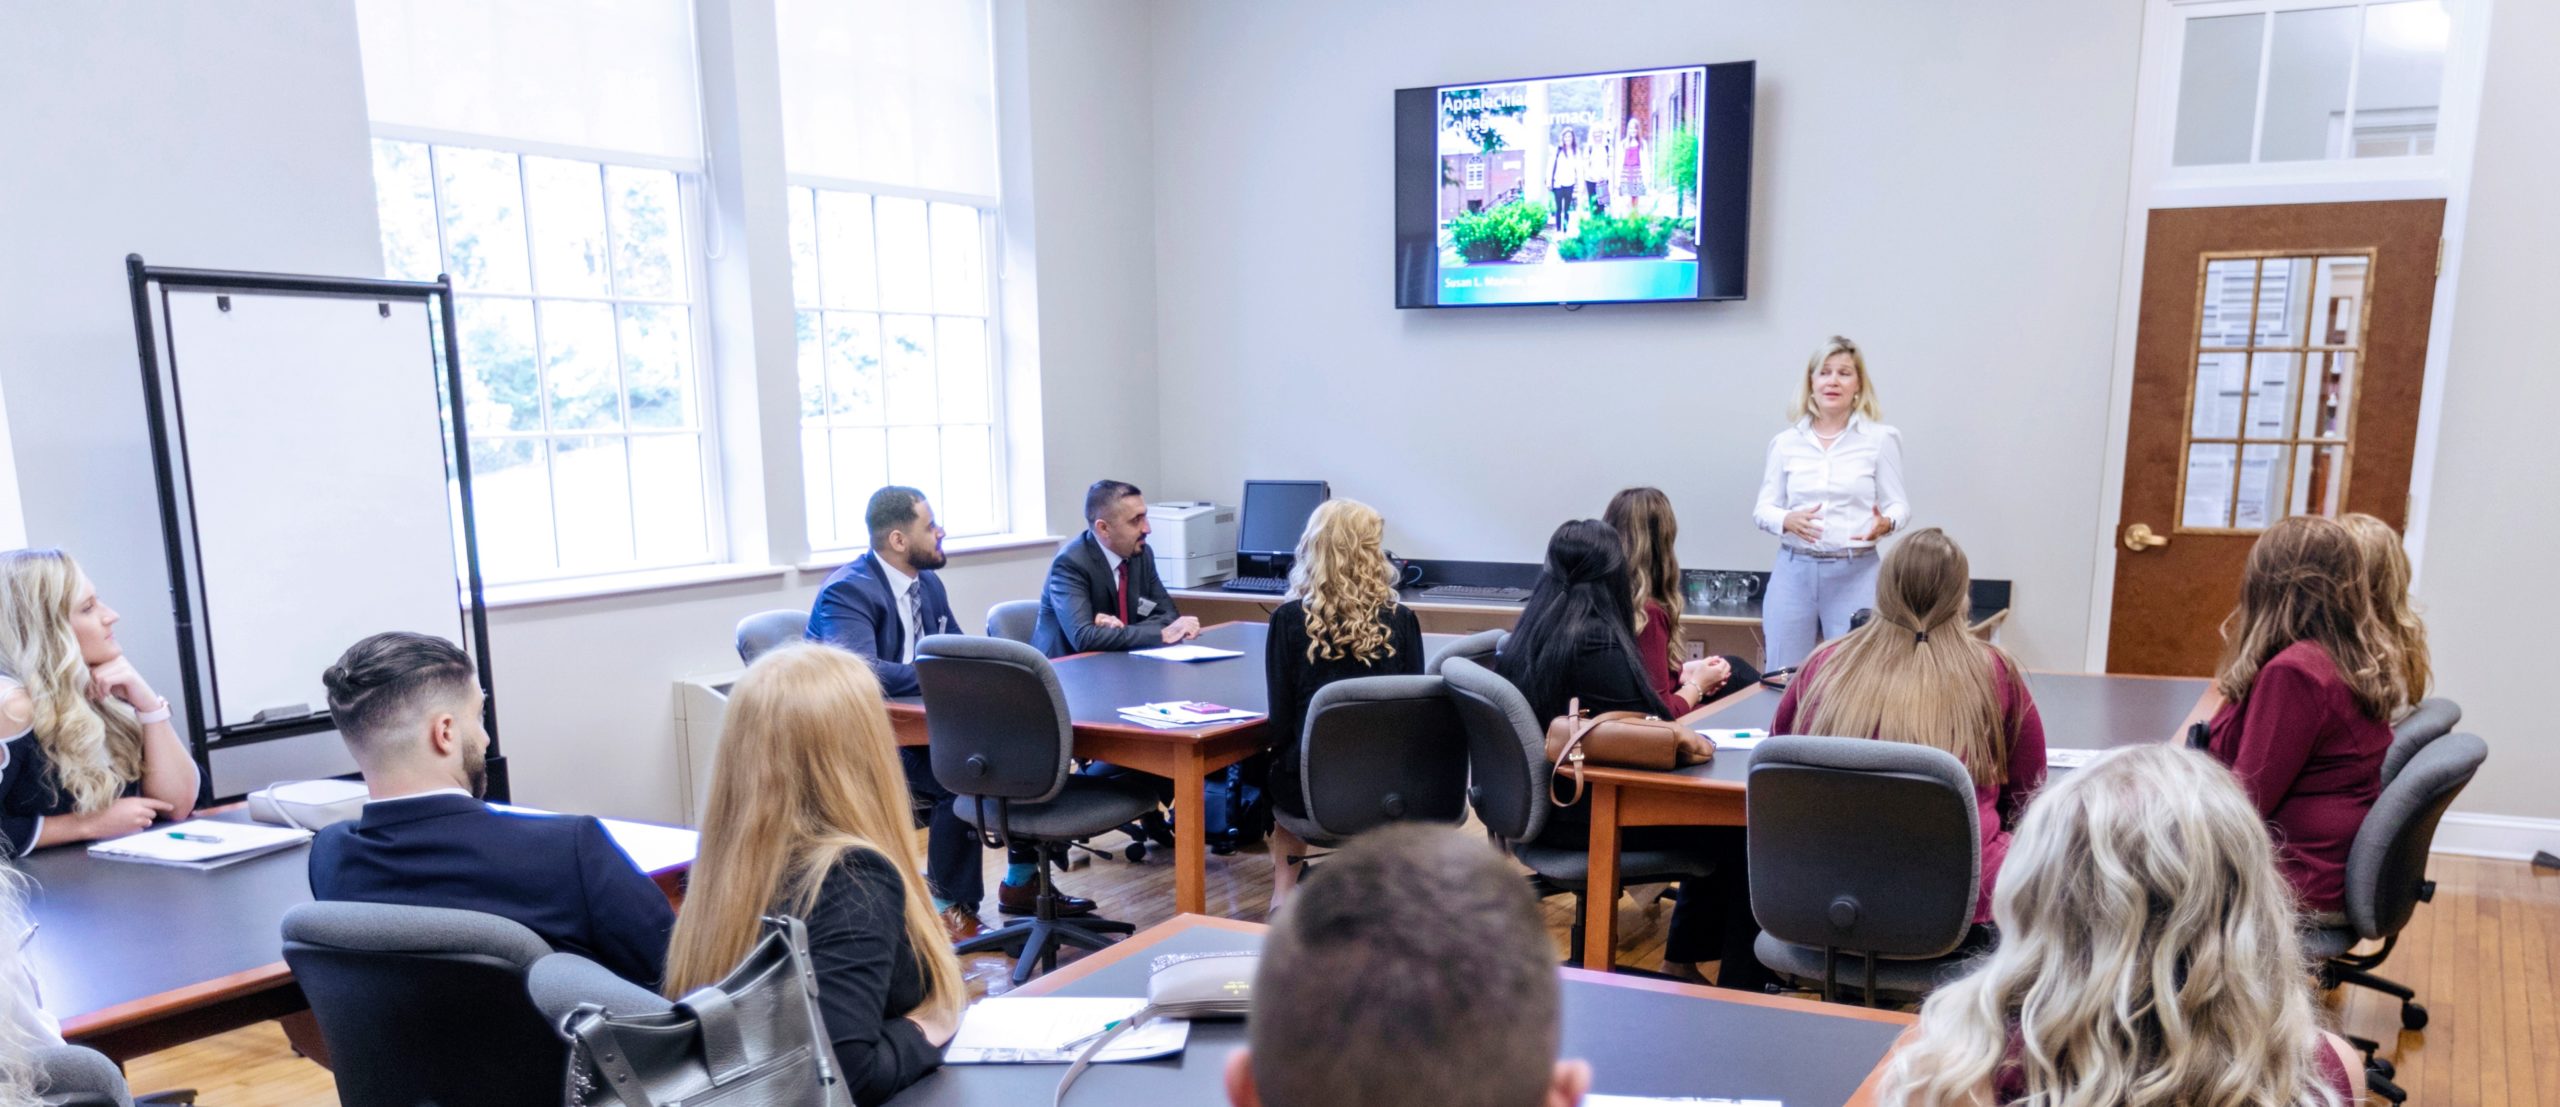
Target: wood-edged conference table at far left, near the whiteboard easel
140, 957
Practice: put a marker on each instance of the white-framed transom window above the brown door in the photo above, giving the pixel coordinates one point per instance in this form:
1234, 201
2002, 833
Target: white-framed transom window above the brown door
2305, 81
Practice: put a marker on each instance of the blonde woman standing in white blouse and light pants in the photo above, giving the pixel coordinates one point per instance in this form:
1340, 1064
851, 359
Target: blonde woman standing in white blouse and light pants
1832, 491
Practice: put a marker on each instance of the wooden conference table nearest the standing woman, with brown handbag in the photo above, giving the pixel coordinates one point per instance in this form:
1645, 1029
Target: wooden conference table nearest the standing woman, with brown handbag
2080, 711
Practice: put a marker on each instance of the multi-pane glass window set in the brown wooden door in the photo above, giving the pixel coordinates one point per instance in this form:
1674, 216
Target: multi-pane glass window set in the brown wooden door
2269, 416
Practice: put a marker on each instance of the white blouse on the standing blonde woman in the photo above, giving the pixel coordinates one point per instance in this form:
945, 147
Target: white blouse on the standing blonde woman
1852, 480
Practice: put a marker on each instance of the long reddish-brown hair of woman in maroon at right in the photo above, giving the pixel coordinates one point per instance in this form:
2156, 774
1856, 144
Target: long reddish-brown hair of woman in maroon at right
2305, 580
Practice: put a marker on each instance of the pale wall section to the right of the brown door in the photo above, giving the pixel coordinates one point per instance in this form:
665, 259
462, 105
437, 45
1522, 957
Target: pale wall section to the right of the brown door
2490, 529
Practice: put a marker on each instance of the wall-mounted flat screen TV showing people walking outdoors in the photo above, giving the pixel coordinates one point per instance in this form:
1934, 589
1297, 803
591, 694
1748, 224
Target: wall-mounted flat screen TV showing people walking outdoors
1565, 191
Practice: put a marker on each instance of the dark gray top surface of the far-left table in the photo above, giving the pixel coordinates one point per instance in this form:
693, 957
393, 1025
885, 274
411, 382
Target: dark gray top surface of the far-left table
122, 931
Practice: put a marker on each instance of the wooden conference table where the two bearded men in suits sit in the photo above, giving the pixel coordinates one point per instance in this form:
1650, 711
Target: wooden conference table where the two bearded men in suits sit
1100, 685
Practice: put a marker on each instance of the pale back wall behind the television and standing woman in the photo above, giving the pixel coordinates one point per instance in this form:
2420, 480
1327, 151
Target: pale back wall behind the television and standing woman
1944, 183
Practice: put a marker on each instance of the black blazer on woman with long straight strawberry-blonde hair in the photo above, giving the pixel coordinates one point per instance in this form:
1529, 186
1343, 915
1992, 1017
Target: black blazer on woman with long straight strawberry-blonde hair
869, 978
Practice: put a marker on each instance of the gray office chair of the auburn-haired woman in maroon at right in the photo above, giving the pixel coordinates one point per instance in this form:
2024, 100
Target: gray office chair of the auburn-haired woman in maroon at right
2387, 880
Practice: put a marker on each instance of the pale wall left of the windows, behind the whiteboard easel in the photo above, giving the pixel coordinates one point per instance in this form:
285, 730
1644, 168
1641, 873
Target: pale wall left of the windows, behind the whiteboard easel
193, 137
